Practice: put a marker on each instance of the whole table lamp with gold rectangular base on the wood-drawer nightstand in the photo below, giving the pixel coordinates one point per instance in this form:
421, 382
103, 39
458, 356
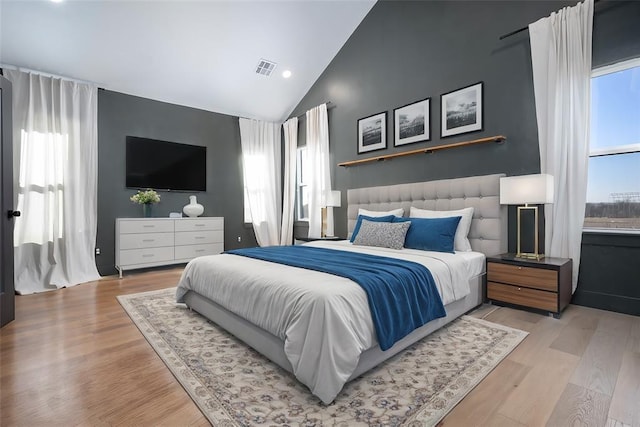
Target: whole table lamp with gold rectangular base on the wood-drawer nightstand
527, 189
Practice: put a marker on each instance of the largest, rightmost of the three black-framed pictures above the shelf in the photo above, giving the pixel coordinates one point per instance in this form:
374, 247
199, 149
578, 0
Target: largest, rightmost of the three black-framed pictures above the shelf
461, 110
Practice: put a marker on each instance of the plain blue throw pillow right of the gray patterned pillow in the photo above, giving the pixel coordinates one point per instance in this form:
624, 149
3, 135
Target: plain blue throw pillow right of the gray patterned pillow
431, 234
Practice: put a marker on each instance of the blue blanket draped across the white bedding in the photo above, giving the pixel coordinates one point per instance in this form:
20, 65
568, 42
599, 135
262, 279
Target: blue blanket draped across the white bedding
402, 294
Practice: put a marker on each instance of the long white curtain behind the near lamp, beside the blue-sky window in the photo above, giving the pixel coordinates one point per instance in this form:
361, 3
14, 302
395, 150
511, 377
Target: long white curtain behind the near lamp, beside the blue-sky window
561, 58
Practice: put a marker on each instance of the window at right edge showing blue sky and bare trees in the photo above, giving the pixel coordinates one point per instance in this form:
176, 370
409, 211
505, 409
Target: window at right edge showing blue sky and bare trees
613, 187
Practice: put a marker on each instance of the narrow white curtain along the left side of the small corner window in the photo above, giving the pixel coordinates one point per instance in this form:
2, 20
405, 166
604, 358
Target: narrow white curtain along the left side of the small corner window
290, 146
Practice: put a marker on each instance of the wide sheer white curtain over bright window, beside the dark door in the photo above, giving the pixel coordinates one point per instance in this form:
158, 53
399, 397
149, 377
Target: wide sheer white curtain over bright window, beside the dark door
56, 145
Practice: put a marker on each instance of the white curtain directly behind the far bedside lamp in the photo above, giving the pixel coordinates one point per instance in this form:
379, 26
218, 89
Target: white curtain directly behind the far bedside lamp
319, 169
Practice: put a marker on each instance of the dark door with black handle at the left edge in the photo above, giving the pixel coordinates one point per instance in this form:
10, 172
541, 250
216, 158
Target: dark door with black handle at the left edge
7, 292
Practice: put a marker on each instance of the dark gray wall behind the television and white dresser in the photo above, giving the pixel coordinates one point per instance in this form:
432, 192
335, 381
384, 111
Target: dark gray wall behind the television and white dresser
120, 115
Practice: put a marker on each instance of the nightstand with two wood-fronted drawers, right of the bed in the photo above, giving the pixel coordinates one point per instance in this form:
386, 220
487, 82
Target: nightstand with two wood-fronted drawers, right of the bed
543, 285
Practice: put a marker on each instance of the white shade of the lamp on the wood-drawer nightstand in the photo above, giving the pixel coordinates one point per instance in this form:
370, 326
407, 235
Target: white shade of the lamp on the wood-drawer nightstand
534, 189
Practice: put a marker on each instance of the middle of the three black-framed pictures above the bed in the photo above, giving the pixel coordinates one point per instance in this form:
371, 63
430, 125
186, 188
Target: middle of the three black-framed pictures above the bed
411, 123
